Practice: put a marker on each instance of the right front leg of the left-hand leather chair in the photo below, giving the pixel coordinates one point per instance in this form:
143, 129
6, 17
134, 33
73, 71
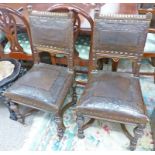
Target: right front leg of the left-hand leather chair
60, 126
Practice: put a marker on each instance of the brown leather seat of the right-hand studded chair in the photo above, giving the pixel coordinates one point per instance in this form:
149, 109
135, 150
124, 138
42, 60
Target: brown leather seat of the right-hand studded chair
113, 96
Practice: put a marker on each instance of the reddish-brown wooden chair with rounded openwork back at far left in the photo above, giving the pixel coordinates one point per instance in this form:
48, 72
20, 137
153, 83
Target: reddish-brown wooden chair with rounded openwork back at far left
18, 43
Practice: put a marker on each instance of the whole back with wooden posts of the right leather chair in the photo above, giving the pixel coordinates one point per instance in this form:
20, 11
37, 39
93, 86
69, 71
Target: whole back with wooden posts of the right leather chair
119, 36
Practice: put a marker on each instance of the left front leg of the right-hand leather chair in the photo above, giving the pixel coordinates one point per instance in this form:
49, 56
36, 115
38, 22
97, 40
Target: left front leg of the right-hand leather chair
80, 122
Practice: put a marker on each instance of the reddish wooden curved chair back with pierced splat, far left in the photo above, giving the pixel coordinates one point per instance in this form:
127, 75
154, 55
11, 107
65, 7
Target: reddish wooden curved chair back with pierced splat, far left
9, 25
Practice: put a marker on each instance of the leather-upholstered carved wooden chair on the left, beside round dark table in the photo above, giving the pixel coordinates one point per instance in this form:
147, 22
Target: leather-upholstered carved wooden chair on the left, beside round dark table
45, 86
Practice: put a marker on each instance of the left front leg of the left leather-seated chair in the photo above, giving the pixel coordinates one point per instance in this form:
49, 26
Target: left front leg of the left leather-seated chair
15, 114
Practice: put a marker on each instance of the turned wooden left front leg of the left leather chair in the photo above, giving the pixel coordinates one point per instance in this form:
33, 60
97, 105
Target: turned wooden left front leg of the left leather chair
14, 109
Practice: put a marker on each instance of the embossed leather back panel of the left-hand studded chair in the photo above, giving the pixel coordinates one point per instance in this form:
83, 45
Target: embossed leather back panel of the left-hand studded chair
52, 30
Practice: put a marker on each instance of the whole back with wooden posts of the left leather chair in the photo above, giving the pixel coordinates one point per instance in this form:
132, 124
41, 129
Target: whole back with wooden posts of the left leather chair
52, 32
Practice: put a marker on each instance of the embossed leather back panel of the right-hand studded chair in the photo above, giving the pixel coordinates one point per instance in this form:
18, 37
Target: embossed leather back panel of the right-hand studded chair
120, 38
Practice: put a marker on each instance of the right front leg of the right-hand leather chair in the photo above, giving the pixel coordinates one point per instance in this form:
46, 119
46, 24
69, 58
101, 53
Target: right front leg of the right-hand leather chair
138, 132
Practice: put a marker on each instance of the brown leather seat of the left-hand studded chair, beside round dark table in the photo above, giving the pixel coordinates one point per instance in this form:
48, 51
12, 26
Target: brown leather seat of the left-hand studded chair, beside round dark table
43, 87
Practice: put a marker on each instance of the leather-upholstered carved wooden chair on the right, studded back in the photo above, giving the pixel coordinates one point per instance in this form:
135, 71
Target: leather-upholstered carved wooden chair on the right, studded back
109, 95
